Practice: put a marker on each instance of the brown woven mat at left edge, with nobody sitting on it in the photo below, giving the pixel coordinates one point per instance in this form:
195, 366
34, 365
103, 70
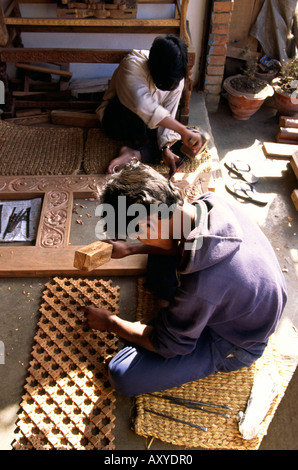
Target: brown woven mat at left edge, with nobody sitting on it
26, 150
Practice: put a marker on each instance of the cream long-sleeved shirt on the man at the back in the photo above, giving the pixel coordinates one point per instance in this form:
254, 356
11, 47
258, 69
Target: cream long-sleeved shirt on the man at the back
133, 84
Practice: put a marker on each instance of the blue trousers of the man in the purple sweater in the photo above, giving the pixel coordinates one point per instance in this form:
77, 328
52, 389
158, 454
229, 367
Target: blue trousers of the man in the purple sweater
135, 370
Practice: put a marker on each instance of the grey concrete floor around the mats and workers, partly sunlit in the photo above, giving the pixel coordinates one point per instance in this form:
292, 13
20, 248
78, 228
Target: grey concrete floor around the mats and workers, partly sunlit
20, 298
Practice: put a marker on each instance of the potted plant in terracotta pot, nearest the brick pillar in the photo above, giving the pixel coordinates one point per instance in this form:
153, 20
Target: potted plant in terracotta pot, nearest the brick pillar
246, 92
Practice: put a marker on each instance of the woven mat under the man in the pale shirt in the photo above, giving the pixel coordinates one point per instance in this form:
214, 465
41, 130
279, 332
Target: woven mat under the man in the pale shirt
100, 150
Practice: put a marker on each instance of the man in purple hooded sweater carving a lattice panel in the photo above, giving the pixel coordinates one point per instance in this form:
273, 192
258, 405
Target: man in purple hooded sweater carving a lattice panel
221, 288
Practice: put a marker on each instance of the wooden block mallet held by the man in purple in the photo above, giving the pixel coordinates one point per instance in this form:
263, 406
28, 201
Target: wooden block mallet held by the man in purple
93, 255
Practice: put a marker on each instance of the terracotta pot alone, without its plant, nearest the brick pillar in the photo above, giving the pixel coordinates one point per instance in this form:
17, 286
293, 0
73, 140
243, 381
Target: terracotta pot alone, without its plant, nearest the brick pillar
244, 105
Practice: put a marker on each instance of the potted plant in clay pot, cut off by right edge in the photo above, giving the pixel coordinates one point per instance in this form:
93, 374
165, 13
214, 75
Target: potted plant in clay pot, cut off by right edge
286, 88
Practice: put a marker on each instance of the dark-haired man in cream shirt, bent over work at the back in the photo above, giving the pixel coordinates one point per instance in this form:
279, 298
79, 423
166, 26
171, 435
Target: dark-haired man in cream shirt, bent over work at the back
141, 103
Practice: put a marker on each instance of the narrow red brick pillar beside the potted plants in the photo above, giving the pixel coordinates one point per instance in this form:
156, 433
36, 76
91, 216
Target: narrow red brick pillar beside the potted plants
217, 50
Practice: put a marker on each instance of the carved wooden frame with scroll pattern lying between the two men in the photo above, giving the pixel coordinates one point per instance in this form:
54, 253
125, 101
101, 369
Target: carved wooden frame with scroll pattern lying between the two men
52, 255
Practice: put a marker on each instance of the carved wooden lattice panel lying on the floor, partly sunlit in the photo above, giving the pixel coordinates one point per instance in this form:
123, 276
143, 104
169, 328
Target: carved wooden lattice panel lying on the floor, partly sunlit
68, 401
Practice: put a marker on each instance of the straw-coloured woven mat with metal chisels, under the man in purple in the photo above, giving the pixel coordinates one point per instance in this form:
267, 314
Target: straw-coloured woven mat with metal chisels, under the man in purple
232, 389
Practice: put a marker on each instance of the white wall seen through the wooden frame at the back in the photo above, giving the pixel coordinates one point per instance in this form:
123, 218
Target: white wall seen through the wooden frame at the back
195, 16
